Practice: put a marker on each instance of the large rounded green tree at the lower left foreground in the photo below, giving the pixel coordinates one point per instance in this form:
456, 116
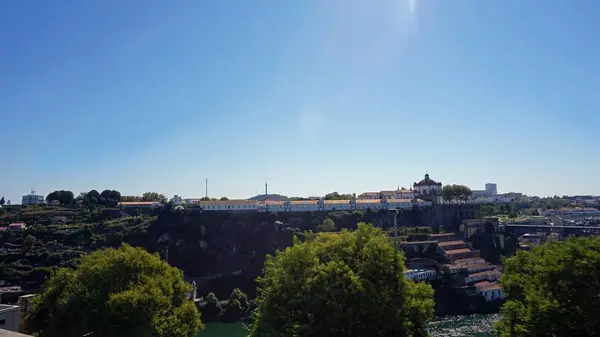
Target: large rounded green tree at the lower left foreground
116, 292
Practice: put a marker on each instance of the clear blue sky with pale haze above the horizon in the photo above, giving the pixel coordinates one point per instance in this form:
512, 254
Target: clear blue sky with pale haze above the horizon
318, 96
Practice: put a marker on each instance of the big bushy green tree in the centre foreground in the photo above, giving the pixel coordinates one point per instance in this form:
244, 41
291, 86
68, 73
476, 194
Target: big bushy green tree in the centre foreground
341, 284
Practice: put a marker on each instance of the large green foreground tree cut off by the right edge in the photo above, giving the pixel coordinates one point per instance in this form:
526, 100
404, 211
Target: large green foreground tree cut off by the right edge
553, 290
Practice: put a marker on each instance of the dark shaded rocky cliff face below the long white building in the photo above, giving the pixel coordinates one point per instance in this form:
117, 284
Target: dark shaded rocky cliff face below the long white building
204, 243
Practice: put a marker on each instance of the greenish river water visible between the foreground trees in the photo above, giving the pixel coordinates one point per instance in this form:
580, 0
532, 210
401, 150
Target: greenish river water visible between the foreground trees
450, 326
